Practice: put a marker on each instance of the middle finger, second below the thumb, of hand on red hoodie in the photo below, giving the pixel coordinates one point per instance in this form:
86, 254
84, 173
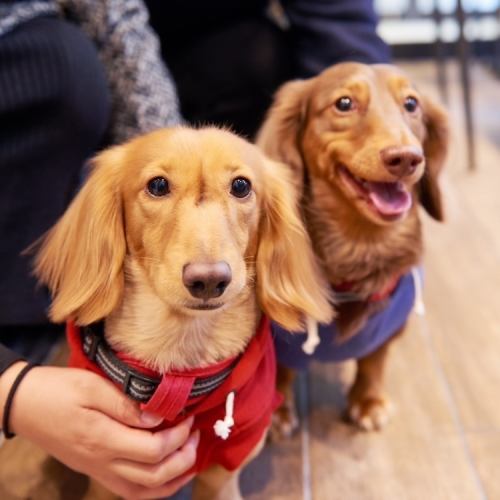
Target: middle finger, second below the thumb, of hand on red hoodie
157, 475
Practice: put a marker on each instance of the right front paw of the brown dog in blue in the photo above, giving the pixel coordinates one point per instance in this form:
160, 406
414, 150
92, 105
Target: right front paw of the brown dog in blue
370, 413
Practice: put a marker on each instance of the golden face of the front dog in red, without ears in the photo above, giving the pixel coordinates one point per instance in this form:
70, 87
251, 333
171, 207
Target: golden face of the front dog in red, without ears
192, 216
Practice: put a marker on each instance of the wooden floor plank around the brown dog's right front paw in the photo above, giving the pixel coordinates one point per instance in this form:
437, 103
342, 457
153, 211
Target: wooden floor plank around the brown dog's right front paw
421, 454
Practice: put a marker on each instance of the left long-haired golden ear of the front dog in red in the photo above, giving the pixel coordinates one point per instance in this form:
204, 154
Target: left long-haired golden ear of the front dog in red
81, 257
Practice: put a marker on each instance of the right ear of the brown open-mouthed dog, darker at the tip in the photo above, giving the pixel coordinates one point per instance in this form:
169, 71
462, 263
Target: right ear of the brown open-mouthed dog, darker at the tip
435, 150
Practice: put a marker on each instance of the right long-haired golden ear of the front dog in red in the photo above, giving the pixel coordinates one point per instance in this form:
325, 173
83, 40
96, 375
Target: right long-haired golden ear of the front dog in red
290, 285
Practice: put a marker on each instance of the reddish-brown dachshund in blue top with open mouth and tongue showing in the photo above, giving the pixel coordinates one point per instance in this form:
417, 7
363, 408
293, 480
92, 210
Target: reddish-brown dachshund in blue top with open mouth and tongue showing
365, 147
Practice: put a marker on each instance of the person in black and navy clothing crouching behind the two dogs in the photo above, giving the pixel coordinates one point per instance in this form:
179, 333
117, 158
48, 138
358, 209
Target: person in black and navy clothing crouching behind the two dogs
228, 58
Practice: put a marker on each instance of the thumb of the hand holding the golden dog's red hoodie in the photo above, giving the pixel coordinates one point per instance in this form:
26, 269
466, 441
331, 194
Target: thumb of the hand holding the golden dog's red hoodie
101, 395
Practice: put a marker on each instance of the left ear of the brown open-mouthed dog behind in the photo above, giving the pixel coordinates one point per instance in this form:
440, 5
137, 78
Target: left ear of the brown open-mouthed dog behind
279, 135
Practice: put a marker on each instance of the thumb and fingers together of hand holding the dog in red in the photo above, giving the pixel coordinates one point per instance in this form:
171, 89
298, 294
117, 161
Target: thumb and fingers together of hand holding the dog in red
140, 463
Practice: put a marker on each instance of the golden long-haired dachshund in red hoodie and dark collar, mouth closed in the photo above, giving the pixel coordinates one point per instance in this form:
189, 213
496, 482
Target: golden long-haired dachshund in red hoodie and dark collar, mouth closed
176, 242
